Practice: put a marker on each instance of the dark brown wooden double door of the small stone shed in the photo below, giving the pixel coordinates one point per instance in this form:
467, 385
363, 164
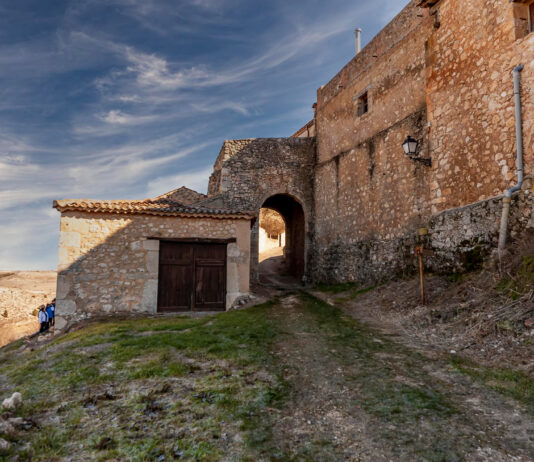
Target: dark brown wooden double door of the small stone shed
192, 277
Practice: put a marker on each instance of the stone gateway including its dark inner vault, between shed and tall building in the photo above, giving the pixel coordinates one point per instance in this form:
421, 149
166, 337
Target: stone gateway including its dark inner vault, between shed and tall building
274, 173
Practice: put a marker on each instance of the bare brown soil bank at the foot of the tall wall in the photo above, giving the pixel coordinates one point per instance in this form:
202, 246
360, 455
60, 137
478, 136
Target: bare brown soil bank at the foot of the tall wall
468, 317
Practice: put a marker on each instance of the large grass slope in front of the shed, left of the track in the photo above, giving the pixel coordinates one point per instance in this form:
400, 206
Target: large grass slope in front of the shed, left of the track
142, 389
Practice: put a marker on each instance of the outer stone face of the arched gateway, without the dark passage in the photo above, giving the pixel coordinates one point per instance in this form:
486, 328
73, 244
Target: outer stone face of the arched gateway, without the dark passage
248, 172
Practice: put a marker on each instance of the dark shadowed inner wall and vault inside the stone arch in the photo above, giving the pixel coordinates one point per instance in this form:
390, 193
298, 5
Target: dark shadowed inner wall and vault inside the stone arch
293, 215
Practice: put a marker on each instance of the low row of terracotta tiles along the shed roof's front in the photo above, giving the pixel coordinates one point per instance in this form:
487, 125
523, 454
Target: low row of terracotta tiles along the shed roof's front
162, 207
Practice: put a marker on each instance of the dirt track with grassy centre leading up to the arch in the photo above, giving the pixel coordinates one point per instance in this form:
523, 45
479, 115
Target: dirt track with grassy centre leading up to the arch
360, 396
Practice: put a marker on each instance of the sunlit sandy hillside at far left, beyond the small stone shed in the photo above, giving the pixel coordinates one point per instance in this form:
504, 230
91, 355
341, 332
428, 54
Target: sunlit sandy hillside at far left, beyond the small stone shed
21, 293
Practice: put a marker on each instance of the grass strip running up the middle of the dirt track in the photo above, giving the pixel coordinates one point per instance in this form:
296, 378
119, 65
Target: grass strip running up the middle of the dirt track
377, 363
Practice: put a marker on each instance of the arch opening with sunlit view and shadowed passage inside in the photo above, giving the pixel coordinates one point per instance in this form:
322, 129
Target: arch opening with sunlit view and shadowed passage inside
281, 246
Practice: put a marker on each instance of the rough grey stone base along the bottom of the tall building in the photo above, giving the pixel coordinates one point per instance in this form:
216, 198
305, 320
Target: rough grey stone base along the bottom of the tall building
460, 238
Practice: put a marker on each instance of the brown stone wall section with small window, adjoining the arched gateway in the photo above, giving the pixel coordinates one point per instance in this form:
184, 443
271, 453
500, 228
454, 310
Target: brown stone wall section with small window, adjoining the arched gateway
365, 187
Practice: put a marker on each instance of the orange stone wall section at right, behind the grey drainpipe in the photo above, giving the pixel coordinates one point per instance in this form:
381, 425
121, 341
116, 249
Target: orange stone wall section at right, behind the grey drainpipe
470, 59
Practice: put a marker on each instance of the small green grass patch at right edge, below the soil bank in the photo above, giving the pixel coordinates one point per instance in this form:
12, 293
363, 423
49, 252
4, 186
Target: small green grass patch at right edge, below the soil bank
515, 384
